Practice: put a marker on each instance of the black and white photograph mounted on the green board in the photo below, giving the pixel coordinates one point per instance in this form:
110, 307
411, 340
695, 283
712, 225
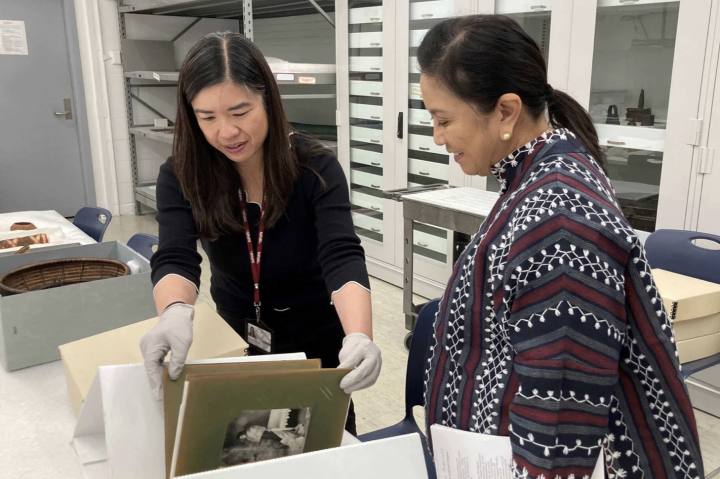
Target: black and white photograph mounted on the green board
261, 435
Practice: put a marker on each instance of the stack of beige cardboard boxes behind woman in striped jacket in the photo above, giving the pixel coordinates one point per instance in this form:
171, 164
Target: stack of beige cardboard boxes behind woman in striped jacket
693, 306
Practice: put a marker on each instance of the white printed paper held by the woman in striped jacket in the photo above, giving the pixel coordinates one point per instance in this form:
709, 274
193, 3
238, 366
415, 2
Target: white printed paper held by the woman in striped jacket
468, 455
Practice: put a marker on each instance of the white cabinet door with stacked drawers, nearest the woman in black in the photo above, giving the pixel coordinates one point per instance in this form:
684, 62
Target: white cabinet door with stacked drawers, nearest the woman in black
366, 131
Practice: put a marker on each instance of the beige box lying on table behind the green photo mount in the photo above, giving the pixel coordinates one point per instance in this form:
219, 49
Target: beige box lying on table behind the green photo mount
212, 338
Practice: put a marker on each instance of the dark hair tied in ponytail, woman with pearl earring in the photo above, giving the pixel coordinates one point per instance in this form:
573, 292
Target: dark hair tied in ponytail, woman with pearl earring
482, 57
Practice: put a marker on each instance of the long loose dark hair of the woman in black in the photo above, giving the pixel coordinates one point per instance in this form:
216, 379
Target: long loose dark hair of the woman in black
208, 179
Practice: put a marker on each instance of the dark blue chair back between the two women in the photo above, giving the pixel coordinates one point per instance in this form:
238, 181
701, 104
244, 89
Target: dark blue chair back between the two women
417, 359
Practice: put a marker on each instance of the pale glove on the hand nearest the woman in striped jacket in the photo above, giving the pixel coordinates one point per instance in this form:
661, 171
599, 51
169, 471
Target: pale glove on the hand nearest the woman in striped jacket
361, 353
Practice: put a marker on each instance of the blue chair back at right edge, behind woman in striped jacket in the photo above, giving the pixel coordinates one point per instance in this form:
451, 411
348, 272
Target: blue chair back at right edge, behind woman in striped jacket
673, 250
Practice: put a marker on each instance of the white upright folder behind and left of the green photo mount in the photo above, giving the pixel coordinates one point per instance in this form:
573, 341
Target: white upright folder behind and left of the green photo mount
120, 433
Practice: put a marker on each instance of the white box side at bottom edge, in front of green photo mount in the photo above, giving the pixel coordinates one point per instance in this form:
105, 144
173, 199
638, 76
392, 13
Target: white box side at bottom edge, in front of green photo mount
399, 457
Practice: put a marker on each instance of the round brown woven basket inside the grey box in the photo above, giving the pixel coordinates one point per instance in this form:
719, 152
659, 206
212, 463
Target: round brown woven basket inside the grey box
63, 272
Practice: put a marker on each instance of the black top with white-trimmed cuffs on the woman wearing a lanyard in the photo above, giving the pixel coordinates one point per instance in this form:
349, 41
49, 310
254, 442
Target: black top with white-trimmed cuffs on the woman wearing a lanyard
311, 252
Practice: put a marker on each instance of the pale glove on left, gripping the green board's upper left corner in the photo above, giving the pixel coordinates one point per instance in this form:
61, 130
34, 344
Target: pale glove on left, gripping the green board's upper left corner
172, 333
